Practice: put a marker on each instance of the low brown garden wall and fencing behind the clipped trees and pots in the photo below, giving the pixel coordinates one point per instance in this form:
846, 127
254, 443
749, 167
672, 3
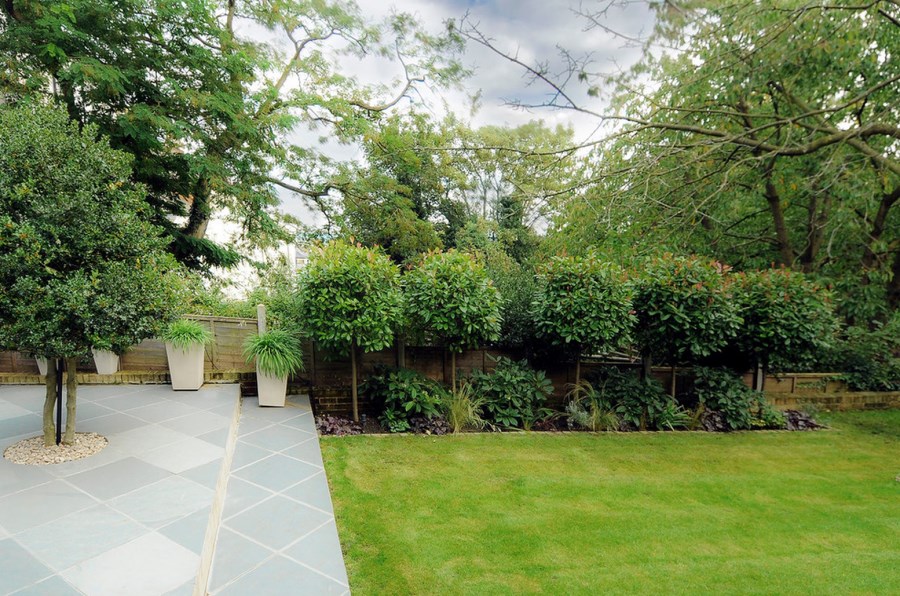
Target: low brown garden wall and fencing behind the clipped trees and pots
327, 376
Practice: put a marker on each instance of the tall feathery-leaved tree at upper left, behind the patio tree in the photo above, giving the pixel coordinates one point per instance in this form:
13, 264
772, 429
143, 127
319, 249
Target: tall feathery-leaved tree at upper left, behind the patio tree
208, 114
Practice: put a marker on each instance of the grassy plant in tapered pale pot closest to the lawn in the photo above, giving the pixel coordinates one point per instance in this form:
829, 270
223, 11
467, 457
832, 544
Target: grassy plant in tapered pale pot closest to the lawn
278, 355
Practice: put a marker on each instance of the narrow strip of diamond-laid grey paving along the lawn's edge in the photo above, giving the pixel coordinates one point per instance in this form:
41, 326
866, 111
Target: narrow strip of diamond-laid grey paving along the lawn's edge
277, 534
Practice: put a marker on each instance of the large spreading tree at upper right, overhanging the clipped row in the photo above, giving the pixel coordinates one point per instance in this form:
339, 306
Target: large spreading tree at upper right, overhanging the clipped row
759, 132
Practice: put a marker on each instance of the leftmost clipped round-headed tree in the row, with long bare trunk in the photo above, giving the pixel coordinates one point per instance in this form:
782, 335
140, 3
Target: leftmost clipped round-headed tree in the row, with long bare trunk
348, 298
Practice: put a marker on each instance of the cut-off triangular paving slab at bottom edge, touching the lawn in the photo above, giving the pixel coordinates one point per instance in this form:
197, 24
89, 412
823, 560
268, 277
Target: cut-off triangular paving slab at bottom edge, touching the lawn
279, 576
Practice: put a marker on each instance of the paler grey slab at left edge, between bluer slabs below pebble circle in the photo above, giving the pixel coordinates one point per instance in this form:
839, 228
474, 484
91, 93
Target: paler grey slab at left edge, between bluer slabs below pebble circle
38, 505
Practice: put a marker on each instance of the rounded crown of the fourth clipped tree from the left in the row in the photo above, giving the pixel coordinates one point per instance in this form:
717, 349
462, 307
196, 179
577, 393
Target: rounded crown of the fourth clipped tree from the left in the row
686, 309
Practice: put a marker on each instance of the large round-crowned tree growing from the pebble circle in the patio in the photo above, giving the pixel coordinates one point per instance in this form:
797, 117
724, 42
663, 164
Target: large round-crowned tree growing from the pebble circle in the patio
80, 265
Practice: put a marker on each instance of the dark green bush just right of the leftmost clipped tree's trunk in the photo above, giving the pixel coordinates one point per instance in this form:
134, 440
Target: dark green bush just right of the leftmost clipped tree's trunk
404, 394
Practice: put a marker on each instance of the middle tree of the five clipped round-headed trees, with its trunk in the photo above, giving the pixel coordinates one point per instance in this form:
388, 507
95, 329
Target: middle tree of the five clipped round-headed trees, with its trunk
584, 303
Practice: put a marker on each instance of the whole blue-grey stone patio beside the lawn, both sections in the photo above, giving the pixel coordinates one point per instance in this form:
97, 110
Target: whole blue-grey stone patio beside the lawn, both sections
133, 518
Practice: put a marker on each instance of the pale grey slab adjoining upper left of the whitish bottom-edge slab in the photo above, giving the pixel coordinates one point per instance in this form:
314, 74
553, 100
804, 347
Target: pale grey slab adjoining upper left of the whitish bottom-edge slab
79, 536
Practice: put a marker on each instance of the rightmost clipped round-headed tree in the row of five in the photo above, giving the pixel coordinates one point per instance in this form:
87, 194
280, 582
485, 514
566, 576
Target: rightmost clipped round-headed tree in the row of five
786, 317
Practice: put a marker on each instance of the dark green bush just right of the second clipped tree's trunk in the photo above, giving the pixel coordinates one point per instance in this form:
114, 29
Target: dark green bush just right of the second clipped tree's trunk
514, 394
